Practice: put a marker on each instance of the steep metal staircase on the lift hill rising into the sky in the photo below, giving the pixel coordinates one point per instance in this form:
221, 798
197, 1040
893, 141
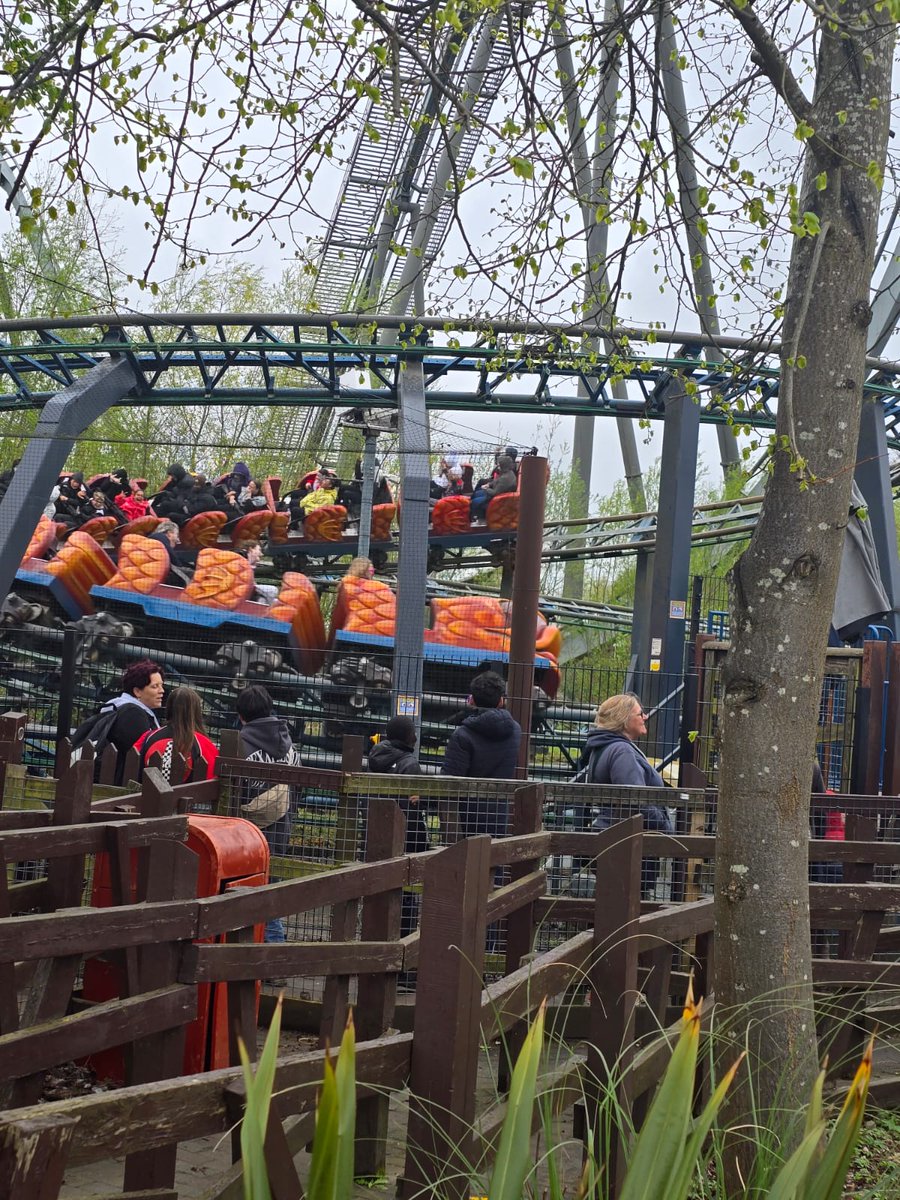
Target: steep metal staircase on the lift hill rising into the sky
393, 167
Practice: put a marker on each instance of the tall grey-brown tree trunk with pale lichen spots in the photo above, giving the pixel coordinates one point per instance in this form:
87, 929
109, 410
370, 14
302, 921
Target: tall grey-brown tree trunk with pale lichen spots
784, 586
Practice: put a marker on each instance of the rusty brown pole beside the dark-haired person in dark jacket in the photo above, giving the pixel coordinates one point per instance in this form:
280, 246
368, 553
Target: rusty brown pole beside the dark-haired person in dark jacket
526, 592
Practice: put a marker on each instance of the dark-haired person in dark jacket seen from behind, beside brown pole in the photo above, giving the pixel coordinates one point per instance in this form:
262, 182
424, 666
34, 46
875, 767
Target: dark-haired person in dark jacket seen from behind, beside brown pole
484, 746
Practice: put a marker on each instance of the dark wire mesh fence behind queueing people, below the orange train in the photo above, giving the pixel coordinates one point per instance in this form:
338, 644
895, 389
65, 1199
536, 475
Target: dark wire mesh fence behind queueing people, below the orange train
61, 677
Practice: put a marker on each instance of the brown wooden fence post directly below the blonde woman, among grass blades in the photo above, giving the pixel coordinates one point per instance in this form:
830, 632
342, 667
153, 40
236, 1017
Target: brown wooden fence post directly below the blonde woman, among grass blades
614, 989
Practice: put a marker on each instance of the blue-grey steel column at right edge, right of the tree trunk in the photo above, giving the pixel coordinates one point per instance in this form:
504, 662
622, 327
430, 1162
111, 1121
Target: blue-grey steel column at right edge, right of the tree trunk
873, 476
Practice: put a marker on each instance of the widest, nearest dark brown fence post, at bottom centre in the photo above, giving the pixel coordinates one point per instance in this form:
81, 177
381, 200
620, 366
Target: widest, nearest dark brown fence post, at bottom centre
448, 1022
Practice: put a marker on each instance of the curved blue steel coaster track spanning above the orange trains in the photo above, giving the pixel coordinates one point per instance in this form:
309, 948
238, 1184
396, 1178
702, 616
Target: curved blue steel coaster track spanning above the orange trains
352, 361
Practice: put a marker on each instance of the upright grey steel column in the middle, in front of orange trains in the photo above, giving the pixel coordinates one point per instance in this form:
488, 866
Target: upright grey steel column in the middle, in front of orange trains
413, 555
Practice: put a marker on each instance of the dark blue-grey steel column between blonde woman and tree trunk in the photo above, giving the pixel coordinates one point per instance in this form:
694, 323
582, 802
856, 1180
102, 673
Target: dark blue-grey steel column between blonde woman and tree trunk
671, 568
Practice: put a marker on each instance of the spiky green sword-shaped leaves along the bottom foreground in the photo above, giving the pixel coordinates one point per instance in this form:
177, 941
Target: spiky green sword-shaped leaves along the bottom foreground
670, 1150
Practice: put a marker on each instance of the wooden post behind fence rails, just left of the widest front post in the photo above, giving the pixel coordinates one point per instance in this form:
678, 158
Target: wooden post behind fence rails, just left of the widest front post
377, 993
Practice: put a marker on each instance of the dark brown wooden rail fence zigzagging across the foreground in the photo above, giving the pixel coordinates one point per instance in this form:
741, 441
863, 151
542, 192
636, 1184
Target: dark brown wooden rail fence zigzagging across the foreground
170, 944
